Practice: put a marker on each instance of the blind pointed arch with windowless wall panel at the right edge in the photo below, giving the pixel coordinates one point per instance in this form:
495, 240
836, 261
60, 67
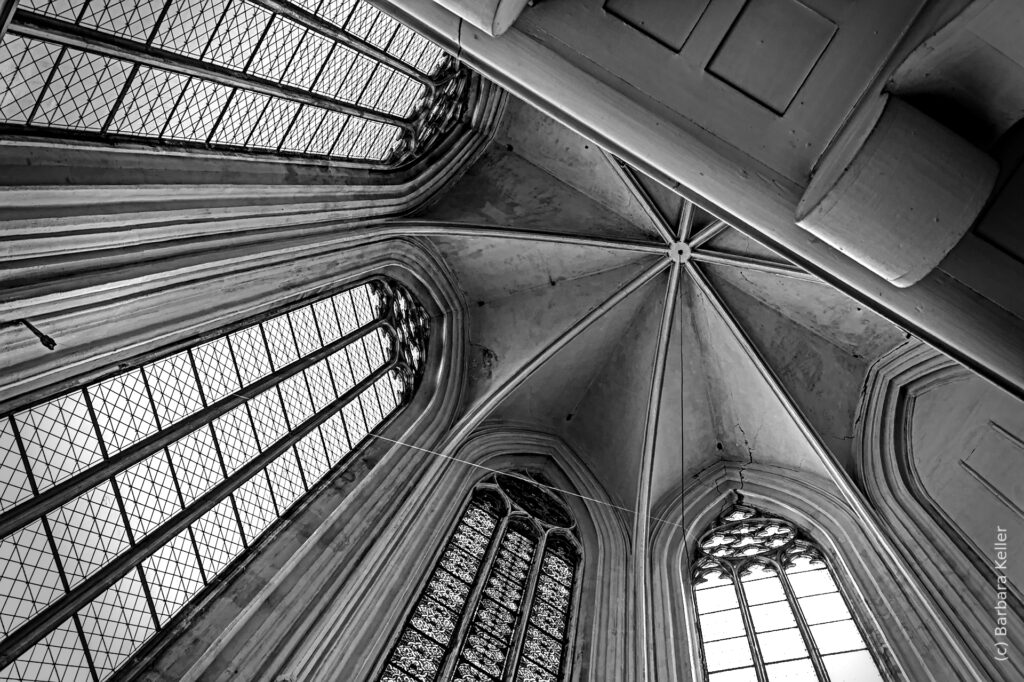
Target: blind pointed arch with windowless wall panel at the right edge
955, 568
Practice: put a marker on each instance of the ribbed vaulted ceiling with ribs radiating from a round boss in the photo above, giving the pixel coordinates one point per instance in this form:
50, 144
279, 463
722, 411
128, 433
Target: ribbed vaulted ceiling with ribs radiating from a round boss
569, 261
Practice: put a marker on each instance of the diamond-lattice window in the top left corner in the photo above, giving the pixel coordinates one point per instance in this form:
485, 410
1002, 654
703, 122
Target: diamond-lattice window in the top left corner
335, 79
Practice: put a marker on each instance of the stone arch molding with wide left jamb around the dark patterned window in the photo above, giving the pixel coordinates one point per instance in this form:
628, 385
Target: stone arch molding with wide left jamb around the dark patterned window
324, 612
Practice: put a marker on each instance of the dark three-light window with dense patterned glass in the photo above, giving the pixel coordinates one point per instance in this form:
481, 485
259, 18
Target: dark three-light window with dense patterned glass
499, 603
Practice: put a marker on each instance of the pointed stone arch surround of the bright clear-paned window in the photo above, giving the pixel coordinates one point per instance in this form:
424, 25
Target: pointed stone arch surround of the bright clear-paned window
898, 626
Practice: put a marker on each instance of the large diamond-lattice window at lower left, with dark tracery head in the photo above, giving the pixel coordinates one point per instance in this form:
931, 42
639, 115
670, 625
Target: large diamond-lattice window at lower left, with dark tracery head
122, 500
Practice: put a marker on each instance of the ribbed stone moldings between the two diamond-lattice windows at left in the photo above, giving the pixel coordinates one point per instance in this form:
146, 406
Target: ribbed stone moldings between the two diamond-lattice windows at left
141, 243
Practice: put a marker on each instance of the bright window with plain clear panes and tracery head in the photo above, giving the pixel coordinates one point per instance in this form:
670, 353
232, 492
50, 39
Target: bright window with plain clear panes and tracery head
770, 609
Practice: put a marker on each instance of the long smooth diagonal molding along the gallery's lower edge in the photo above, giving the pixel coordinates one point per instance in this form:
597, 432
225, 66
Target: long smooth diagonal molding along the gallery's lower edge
730, 185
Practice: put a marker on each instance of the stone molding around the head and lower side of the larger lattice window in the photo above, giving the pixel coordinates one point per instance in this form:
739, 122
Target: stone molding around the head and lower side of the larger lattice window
240, 624
